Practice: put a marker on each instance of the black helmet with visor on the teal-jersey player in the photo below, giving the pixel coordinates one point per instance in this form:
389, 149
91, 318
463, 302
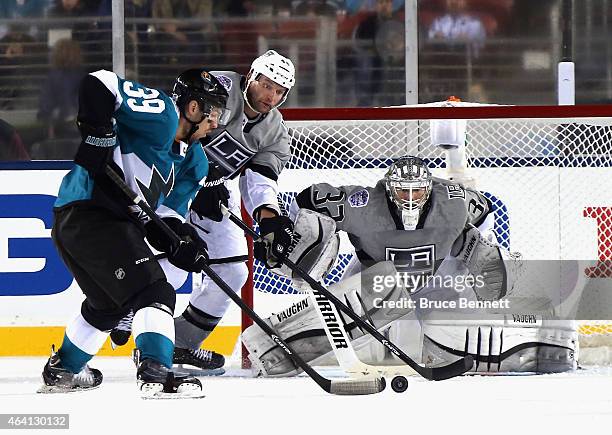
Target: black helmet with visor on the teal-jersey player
199, 85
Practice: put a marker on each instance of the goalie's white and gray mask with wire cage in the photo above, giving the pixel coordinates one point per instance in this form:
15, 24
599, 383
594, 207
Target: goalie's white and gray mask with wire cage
408, 183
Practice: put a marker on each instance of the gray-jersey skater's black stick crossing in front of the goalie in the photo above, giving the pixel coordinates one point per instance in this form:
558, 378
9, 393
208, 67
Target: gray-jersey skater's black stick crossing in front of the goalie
433, 373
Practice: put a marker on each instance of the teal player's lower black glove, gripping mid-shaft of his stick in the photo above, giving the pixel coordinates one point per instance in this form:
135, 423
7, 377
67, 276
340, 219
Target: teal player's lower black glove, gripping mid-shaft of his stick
190, 254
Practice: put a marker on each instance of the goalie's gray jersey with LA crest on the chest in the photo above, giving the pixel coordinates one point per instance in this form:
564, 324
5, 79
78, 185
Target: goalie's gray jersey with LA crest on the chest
375, 228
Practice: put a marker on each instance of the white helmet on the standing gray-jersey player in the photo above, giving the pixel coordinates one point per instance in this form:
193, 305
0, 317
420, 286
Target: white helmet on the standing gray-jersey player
277, 68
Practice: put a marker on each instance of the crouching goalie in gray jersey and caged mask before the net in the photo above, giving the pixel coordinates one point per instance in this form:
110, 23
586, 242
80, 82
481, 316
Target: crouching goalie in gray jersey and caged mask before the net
426, 227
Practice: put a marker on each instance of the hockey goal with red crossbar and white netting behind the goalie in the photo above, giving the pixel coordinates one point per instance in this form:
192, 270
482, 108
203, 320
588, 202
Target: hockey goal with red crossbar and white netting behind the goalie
545, 168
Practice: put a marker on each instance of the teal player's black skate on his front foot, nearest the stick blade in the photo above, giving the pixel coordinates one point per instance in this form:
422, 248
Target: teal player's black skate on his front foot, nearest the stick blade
156, 381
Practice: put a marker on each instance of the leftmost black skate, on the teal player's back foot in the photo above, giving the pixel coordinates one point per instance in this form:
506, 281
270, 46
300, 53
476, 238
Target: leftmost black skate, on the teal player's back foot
57, 379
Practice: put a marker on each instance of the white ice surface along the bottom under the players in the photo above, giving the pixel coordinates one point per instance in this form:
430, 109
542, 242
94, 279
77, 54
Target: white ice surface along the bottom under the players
570, 403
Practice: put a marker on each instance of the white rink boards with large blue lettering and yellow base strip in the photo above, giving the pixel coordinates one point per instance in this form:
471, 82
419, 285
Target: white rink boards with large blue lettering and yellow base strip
548, 220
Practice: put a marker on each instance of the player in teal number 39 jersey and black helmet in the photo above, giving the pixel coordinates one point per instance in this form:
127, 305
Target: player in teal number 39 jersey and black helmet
151, 140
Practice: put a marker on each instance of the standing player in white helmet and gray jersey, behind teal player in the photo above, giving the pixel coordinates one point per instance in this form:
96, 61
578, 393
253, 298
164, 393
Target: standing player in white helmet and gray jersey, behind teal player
251, 146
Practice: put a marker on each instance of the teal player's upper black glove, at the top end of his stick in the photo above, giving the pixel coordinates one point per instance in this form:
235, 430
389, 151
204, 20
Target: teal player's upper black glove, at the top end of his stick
96, 148
